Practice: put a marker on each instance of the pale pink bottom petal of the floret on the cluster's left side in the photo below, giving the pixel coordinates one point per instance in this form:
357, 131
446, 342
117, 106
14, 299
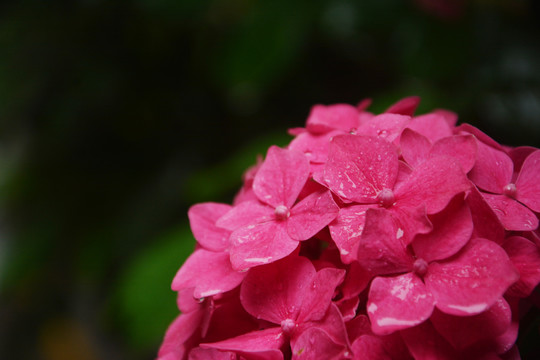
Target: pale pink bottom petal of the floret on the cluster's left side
260, 244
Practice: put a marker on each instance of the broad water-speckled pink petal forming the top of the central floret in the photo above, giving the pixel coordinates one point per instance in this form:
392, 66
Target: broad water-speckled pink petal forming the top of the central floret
359, 167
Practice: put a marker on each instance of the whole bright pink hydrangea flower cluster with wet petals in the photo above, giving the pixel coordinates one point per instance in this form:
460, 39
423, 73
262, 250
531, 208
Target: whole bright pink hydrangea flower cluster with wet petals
388, 236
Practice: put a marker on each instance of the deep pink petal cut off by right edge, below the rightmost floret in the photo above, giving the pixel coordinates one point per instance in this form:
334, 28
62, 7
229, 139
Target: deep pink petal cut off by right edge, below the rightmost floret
526, 258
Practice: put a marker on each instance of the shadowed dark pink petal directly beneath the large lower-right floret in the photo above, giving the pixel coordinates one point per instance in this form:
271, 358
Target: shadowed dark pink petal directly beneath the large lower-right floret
464, 331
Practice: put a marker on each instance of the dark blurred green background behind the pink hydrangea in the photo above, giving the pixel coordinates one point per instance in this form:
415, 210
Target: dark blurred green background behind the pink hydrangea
116, 116
